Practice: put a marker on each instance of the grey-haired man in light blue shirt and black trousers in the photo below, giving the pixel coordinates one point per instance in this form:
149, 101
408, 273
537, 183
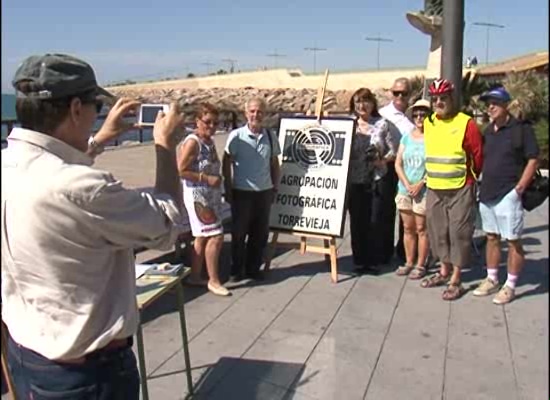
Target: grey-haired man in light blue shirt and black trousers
251, 175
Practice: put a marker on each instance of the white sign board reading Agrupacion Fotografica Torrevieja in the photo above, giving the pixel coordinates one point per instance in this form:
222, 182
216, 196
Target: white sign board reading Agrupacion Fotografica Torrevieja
314, 171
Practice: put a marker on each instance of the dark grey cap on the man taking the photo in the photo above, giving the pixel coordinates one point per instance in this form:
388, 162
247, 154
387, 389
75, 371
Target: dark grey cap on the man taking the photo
57, 76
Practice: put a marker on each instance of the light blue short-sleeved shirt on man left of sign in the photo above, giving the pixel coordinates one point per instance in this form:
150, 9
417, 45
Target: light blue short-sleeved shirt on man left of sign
251, 155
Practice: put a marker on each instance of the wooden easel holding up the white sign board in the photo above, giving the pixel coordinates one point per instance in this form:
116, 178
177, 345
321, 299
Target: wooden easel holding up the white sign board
329, 242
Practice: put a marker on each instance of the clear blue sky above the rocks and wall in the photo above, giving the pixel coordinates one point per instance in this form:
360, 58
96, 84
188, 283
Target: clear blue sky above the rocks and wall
134, 40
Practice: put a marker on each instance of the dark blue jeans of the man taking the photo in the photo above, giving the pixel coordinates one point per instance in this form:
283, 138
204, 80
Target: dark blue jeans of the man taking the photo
105, 375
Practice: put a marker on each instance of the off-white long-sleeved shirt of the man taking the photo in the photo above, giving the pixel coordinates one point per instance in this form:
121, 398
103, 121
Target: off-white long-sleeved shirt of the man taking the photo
68, 230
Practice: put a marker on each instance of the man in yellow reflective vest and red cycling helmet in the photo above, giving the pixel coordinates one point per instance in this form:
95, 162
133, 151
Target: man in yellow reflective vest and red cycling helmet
454, 158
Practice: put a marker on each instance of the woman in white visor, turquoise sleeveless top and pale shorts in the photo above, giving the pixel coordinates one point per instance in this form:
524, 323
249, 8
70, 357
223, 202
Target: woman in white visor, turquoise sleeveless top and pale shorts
410, 166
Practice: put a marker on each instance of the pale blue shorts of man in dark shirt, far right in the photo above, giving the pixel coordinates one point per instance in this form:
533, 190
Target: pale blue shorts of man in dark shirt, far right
504, 218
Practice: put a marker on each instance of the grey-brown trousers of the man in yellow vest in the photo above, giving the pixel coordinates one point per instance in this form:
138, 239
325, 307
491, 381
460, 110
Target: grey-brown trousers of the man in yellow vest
450, 218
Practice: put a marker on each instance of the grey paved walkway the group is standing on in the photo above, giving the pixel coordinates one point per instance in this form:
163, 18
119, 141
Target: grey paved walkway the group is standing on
298, 336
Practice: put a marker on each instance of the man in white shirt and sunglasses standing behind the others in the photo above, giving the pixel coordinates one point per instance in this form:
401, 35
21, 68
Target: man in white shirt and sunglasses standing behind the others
400, 126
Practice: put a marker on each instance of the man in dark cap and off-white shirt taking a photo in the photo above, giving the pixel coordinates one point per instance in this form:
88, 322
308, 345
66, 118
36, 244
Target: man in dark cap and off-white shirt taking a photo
68, 233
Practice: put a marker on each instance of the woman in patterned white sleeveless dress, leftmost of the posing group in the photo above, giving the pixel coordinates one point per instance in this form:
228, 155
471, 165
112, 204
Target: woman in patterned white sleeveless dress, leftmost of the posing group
199, 169
